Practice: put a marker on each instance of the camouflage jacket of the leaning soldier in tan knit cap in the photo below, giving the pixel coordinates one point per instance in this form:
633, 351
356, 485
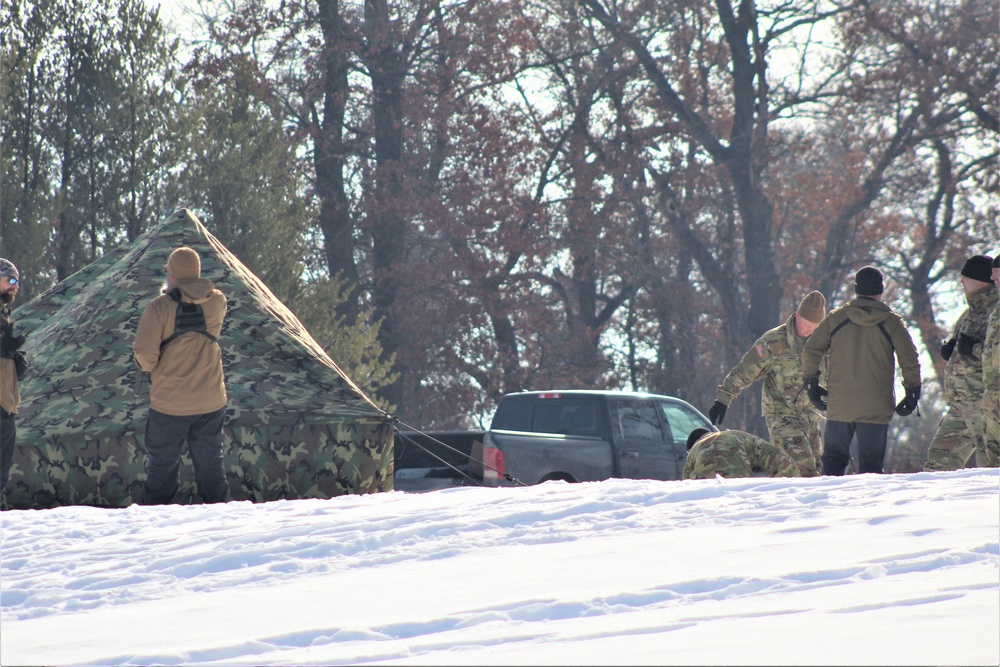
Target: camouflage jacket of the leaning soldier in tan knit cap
777, 358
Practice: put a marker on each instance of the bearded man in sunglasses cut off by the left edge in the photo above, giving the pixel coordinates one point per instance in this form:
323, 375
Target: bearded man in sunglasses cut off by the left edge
11, 369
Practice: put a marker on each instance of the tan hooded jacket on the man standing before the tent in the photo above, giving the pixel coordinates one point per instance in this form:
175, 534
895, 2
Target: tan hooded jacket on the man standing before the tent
186, 375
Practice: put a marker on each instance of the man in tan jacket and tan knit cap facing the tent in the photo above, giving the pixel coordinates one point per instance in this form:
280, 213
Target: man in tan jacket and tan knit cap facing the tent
176, 342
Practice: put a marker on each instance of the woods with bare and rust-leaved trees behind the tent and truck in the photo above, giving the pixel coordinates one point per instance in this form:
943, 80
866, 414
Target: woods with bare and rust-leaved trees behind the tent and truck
462, 199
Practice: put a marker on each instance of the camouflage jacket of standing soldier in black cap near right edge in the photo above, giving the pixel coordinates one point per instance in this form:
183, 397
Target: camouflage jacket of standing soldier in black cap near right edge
963, 374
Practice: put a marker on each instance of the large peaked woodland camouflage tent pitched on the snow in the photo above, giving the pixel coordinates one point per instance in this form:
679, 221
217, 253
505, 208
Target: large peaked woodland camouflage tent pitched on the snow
296, 425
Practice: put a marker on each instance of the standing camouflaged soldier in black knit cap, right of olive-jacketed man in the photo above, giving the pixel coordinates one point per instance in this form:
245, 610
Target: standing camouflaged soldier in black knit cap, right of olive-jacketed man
959, 434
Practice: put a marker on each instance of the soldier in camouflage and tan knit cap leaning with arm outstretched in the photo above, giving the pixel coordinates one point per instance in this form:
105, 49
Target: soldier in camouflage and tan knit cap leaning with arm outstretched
793, 423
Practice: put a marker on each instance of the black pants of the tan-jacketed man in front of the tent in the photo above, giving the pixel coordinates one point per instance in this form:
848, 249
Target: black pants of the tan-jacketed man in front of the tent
165, 436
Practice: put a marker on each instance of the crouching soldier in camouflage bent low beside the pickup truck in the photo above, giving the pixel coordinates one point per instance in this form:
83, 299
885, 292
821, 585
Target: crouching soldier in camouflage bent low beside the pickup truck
734, 454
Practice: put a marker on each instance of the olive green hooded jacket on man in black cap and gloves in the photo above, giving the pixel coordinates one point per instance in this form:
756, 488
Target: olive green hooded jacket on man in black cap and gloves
864, 339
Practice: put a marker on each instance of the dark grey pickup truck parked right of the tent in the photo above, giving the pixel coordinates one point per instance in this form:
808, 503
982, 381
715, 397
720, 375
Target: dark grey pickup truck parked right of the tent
573, 435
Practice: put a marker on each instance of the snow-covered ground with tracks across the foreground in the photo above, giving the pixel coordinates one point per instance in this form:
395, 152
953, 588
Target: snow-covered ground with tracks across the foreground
858, 570
